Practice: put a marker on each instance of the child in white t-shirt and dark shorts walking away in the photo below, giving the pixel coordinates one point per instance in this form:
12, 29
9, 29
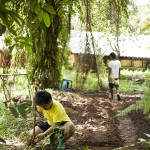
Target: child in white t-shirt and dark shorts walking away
114, 74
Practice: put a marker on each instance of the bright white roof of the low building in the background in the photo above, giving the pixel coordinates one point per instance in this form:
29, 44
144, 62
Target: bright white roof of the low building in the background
129, 46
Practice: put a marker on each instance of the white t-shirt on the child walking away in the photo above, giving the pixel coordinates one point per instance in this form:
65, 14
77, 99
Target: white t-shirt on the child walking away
114, 65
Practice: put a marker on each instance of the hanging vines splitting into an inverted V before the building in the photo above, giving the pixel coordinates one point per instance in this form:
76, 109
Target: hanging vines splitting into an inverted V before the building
86, 61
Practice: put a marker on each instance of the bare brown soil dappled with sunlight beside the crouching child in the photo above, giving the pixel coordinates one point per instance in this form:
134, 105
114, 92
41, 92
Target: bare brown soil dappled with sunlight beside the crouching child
92, 115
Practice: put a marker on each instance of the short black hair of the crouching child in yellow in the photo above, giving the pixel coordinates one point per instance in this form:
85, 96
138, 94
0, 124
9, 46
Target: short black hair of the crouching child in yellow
42, 97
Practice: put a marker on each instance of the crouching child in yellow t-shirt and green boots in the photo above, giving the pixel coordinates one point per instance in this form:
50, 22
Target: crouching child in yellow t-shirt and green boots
56, 118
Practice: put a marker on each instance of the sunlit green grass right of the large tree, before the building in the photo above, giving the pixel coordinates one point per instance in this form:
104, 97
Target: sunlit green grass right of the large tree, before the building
126, 84
